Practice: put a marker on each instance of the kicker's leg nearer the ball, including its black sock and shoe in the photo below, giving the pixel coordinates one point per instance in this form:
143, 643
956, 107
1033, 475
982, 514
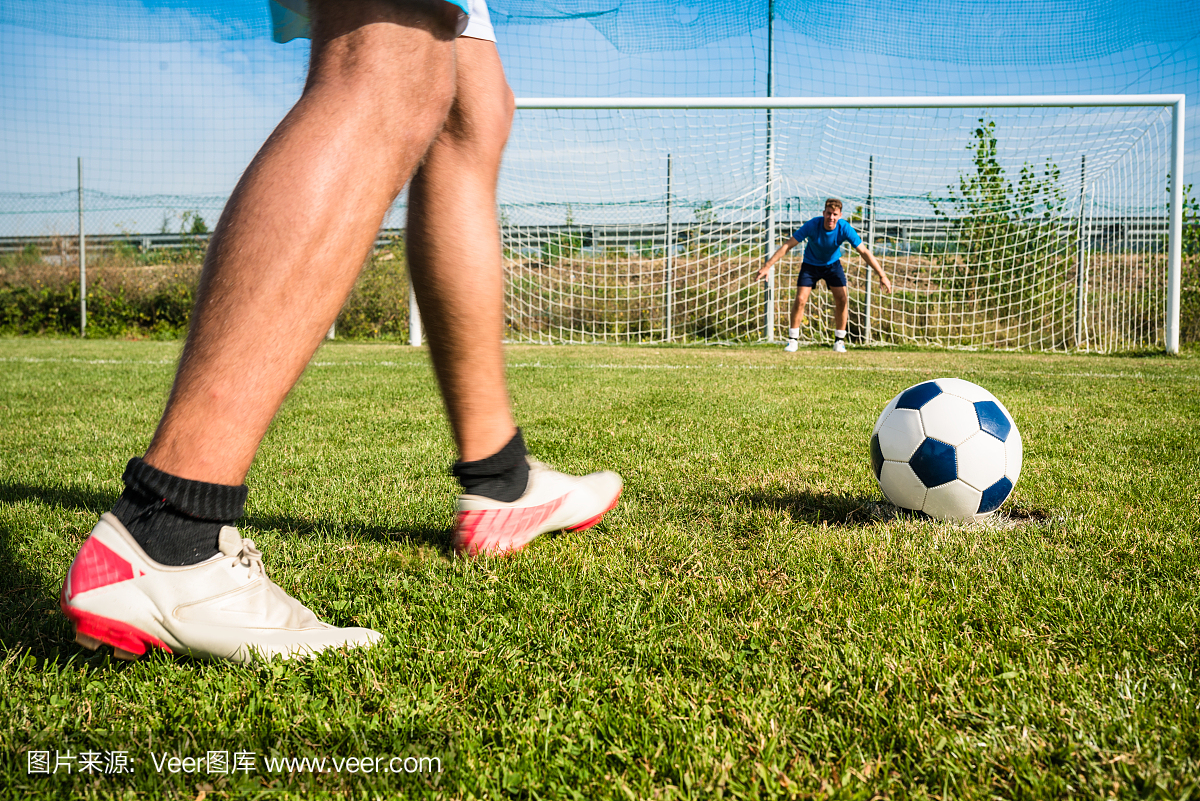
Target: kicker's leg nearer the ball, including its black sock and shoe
454, 248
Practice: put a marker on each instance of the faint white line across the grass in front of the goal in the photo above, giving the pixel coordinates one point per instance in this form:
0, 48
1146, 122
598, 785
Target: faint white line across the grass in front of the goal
718, 366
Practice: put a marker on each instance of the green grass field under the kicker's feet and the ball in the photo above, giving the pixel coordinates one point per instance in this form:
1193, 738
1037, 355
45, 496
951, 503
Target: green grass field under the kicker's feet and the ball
752, 622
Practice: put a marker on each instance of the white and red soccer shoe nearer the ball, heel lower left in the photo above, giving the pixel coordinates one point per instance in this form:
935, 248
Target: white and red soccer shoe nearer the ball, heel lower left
553, 501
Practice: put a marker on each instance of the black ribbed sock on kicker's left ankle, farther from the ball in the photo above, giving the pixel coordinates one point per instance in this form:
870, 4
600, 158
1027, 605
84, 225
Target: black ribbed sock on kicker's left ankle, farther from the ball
176, 521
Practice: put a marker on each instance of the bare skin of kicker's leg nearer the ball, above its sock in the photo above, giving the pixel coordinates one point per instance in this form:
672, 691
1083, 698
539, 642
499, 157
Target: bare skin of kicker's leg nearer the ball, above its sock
454, 249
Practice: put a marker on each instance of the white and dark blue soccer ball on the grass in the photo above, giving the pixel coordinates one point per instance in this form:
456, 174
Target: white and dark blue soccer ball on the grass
949, 449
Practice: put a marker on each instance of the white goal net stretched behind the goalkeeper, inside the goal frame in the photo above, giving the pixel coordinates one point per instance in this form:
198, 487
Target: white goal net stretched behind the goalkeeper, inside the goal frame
1017, 228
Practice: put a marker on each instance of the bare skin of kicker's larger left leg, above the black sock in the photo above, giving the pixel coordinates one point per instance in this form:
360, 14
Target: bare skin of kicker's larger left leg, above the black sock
299, 226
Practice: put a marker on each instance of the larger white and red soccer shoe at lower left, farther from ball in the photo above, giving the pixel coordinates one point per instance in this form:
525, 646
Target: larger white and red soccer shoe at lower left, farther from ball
224, 607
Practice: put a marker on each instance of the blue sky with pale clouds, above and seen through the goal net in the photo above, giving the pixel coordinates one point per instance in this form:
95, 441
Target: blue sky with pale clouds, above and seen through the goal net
169, 101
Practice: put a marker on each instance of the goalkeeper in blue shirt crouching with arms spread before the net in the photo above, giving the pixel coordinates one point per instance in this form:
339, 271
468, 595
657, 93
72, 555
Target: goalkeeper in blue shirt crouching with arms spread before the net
826, 236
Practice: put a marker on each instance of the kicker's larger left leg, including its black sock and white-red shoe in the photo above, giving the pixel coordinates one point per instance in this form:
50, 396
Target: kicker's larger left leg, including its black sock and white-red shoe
285, 255
